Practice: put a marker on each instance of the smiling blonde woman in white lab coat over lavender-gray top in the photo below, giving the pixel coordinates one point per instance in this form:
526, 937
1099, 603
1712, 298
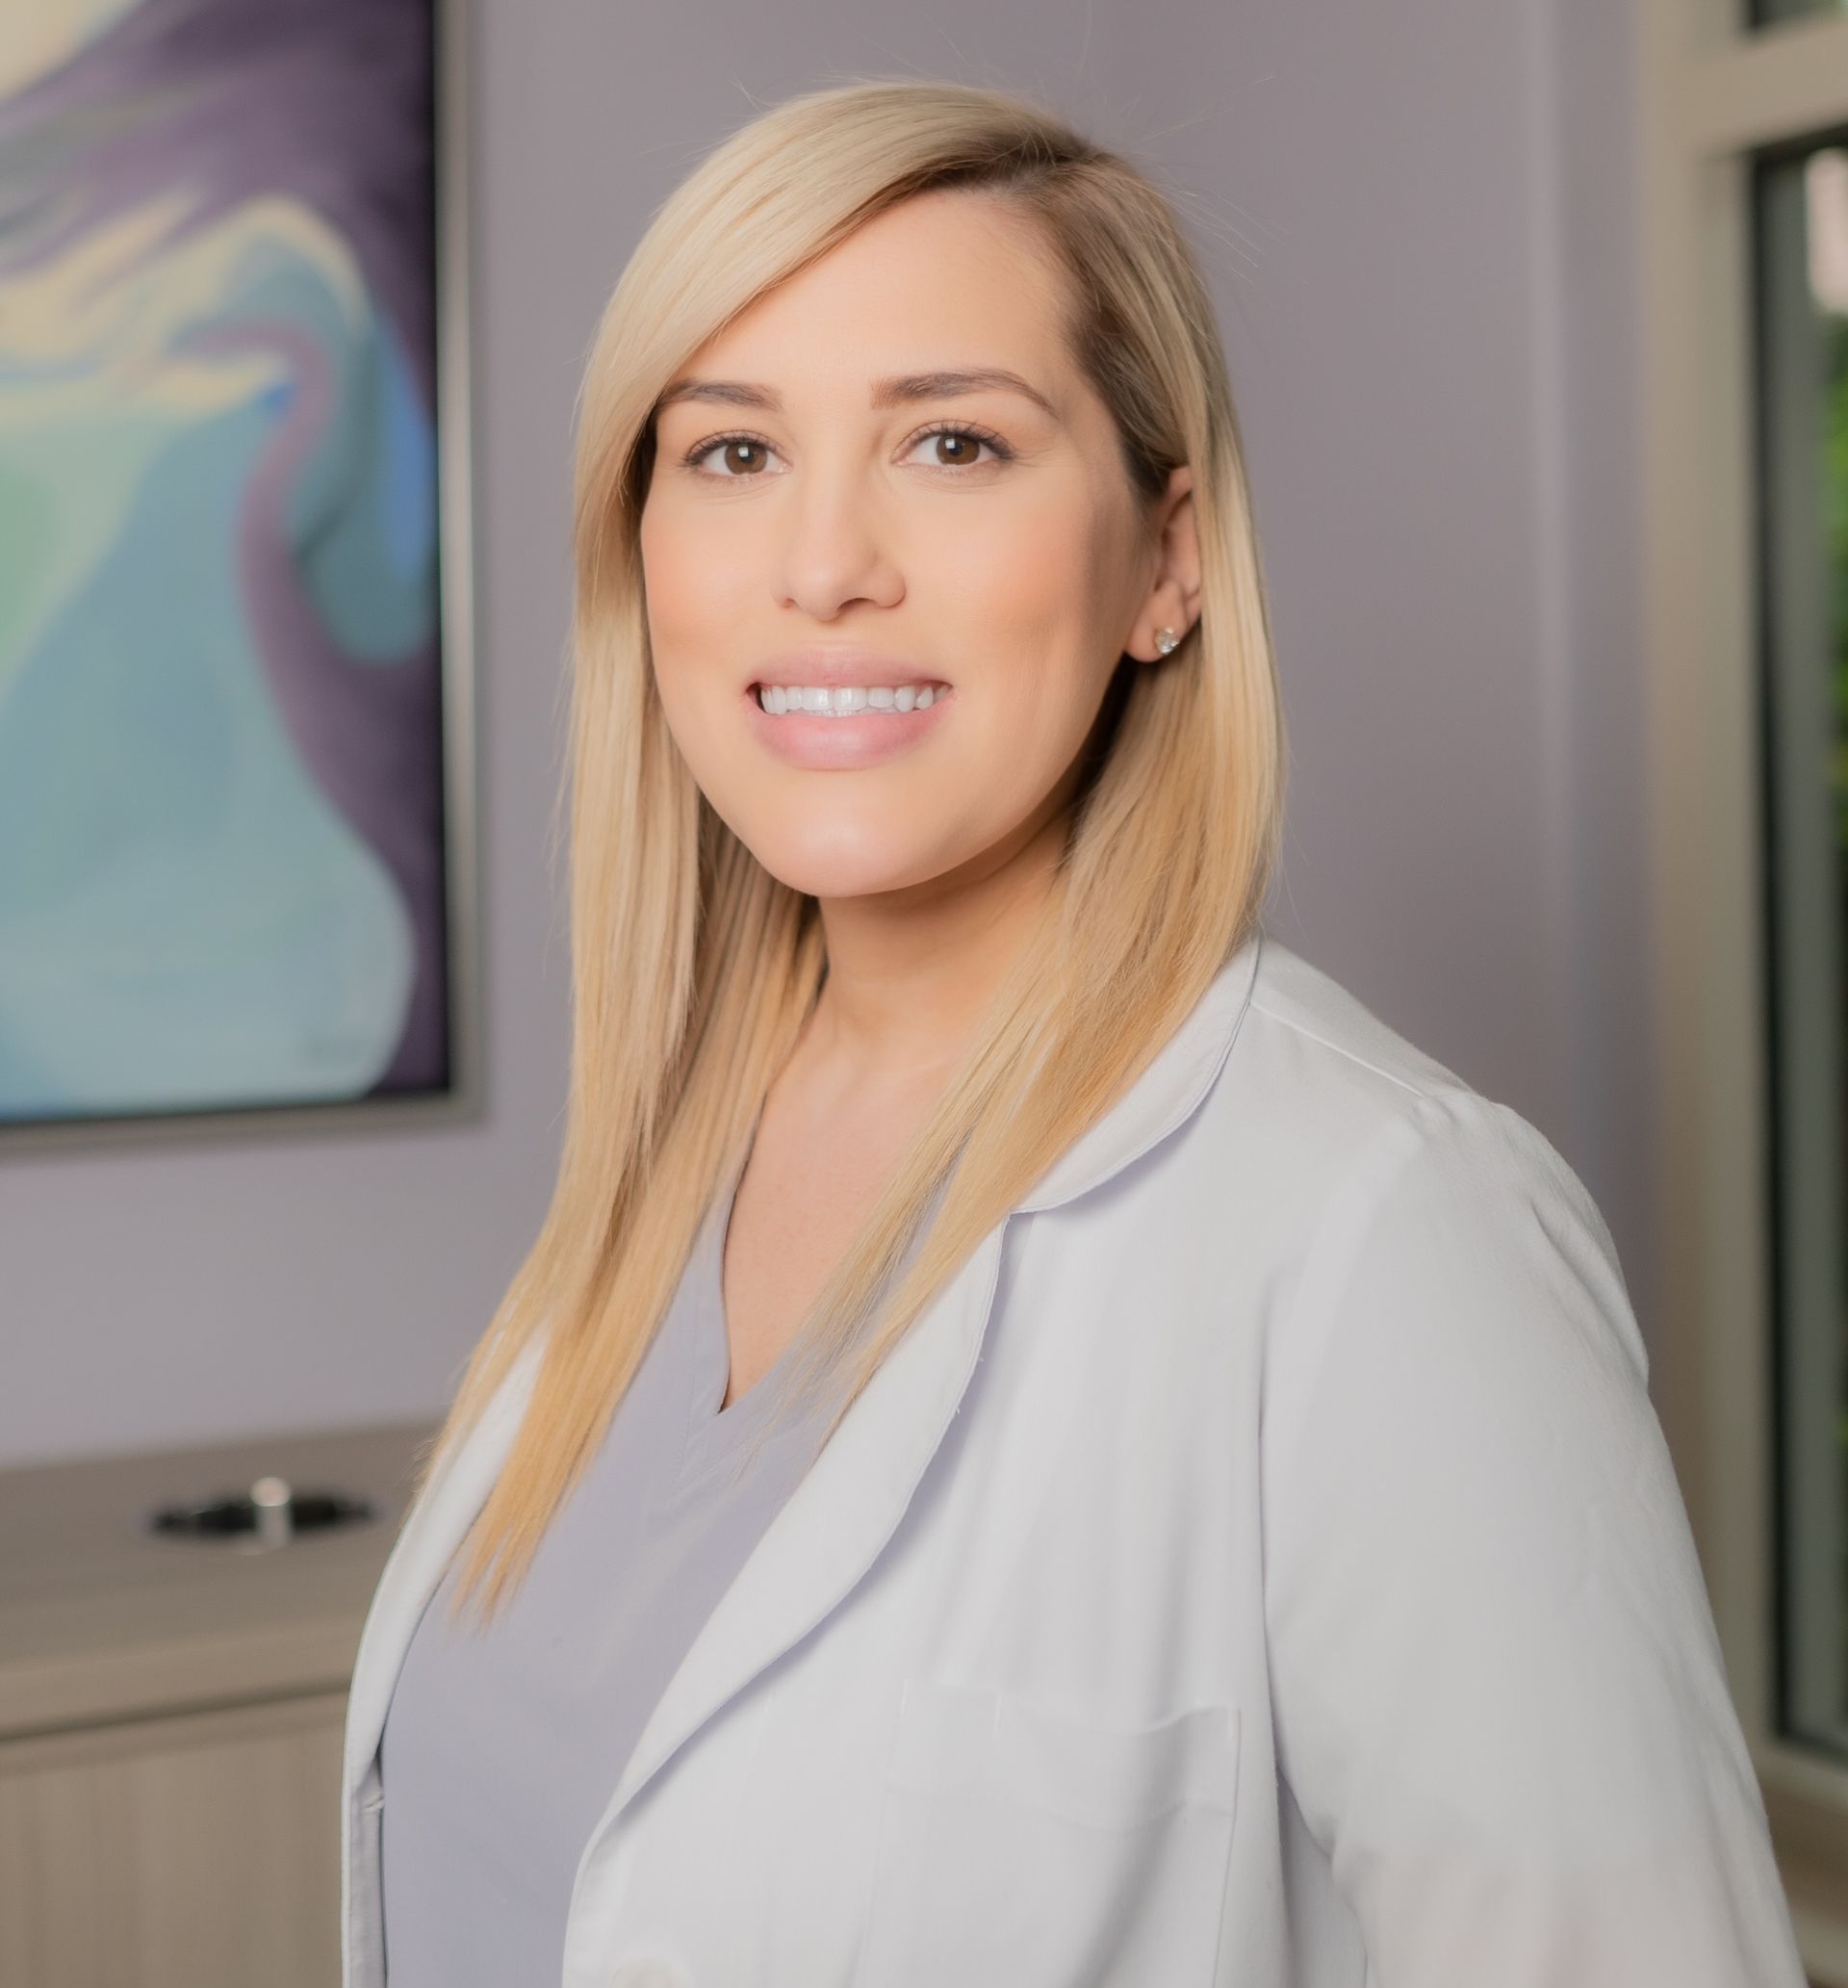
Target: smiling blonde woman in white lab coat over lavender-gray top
1040, 1442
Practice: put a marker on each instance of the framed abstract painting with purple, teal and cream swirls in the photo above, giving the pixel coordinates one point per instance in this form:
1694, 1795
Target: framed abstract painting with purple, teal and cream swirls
235, 685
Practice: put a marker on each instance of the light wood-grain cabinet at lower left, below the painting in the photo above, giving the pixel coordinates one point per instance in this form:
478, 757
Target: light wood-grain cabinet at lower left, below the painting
172, 1717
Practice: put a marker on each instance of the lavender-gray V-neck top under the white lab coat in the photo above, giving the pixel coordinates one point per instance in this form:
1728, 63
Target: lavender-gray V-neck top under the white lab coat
502, 1750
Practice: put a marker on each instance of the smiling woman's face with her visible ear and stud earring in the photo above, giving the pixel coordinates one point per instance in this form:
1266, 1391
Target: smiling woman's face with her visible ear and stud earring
834, 508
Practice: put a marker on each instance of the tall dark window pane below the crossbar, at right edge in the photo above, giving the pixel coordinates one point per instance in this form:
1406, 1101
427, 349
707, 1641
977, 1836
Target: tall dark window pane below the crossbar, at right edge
1801, 222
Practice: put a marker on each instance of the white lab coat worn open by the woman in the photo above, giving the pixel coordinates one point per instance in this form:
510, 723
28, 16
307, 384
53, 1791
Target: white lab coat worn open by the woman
1261, 1568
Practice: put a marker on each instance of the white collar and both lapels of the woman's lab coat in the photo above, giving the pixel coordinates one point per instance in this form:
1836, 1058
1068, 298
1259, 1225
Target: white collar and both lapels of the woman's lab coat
849, 1502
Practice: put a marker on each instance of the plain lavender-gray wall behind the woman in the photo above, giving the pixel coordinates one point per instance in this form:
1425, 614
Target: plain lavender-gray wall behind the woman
1418, 218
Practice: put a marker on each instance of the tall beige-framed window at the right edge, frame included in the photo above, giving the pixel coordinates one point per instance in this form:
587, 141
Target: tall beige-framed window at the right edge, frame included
1746, 430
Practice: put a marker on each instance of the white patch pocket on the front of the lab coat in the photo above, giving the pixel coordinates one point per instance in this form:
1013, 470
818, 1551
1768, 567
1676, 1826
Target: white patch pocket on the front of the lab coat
1022, 1848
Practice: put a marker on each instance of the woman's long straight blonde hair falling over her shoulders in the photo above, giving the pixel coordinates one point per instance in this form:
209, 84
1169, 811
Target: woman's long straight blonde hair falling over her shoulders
694, 969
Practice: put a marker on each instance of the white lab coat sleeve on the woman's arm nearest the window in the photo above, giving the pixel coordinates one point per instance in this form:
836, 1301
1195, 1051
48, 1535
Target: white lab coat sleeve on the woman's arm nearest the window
1497, 1687
